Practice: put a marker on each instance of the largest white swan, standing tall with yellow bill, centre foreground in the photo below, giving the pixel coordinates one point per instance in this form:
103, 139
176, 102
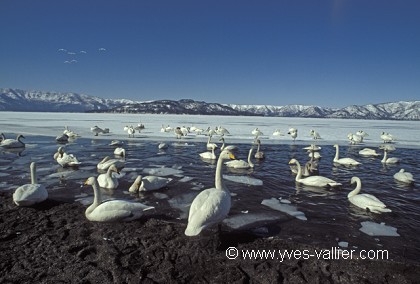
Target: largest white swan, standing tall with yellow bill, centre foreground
212, 205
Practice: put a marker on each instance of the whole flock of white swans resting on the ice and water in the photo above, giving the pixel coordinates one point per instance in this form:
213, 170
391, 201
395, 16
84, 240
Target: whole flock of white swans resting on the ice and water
211, 206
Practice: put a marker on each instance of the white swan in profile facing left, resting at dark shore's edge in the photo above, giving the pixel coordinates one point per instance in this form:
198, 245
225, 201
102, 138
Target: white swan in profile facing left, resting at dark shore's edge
112, 210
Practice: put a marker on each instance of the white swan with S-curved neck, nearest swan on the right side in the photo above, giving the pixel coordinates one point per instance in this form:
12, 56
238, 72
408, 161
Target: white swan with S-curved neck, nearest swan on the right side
365, 201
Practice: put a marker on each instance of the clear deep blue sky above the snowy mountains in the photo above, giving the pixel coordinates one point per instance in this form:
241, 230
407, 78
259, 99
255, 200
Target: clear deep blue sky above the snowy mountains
328, 53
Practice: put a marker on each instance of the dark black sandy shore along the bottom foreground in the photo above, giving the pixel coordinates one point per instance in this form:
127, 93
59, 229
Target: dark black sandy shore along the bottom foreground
54, 243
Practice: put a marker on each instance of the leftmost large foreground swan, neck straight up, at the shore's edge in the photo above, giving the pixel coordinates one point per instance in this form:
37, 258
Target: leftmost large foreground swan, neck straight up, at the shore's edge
30, 194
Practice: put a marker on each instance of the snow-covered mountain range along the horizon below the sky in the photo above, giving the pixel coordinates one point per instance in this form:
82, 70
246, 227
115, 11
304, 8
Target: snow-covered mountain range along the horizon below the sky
19, 100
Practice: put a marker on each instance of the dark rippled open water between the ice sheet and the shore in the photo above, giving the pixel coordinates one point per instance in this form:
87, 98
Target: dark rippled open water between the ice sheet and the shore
331, 217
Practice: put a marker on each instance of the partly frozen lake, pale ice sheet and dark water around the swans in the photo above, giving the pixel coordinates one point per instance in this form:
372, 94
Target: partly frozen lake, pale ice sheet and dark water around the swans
265, 199
